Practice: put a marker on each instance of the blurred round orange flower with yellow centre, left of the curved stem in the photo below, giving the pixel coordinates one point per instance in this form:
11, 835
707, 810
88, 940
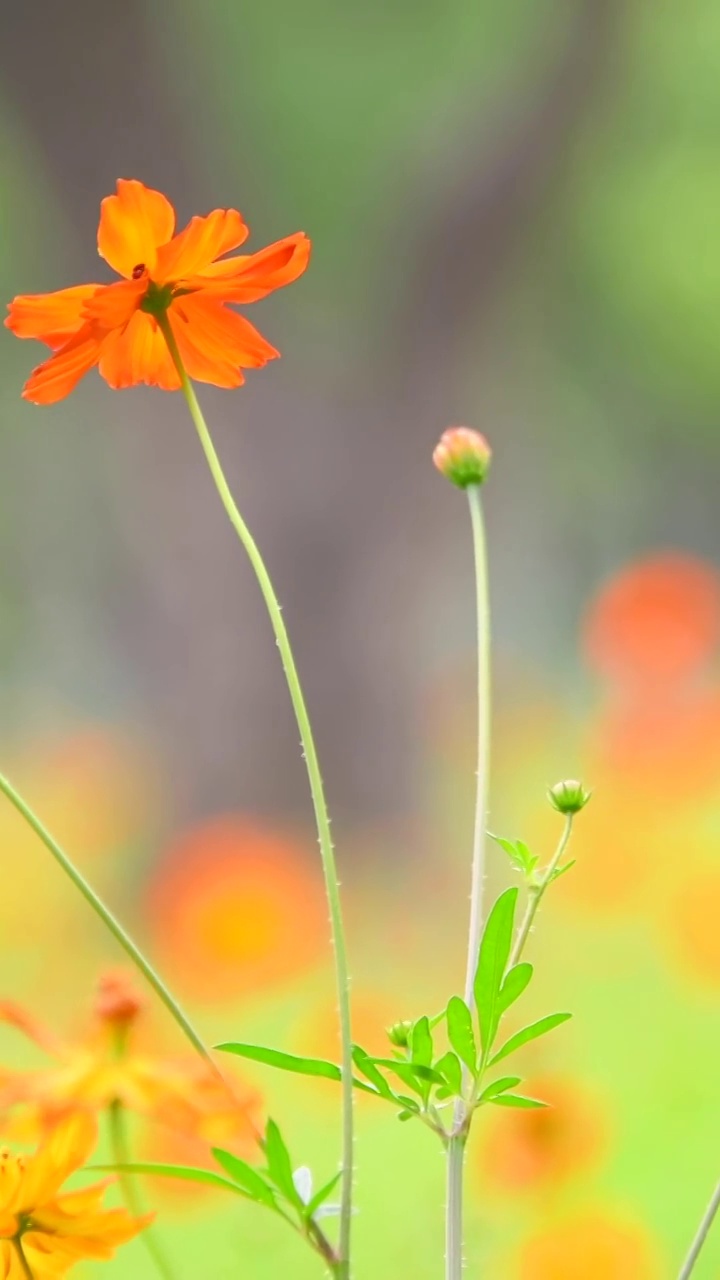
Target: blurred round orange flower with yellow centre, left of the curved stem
238, 907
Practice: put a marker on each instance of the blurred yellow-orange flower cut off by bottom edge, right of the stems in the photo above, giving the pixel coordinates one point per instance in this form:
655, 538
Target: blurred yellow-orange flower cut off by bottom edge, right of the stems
596, 1246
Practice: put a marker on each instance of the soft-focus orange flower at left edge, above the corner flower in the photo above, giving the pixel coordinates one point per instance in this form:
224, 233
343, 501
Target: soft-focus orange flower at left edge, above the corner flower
108, 1068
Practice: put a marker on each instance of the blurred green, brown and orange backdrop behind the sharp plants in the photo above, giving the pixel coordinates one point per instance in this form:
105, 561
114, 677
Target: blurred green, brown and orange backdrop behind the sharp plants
516, 212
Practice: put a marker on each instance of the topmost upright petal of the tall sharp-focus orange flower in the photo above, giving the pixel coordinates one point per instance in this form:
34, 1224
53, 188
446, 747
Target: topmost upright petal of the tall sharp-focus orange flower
133, 227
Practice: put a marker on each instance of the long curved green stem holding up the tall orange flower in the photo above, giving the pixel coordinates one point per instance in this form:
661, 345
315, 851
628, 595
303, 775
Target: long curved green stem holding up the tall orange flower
317, 790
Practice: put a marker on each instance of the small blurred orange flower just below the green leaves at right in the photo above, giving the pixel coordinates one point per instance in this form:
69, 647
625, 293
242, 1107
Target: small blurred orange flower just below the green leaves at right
540, 1150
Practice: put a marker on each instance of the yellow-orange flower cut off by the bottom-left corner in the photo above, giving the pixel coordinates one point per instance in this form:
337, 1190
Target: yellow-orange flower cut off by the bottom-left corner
49, 1231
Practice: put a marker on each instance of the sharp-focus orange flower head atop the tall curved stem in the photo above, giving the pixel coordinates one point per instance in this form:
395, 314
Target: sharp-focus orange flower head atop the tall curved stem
184, 278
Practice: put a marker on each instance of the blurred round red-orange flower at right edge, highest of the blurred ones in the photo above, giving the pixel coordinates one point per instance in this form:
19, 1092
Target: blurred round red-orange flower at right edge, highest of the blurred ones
655, 621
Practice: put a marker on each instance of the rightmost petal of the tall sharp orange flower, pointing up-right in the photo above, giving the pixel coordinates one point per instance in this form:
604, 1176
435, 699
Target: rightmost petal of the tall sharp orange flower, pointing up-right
248, 278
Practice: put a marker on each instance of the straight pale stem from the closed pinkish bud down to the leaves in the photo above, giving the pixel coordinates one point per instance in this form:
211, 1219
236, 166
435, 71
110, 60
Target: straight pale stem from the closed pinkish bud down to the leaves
482, 605
